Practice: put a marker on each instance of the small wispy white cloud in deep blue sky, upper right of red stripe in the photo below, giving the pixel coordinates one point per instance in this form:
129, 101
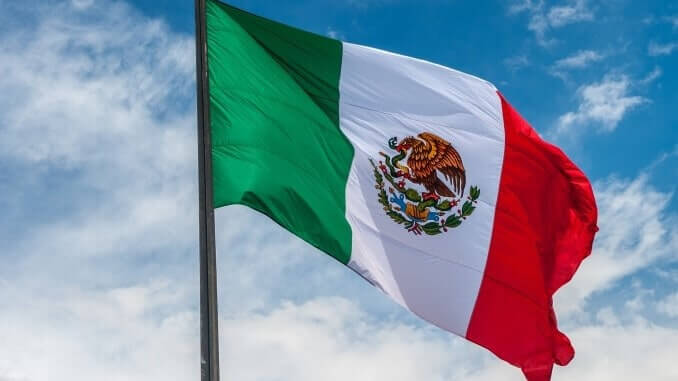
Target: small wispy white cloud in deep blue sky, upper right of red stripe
605, 102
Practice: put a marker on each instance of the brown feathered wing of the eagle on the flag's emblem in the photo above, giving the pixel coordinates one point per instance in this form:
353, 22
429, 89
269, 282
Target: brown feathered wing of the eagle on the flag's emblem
444, 158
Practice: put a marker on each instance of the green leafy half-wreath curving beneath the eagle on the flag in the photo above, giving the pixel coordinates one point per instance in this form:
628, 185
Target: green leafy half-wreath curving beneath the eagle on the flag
431, 228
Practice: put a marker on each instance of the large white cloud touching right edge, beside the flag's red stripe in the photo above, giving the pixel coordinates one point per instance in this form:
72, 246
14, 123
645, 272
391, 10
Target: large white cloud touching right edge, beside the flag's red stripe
636, 230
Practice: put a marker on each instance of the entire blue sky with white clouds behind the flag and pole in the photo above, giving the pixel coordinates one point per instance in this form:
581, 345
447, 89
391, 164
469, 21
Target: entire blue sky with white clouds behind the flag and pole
98, 204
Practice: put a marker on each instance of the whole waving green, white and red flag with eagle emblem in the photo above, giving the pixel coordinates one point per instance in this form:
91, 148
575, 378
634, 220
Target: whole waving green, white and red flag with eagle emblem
422, 179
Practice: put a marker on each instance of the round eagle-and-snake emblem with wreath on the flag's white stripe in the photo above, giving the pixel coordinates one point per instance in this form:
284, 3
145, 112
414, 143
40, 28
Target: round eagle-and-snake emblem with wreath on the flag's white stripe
426, 193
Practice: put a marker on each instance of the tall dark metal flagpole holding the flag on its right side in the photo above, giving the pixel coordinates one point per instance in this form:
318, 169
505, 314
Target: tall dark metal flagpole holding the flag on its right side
209, 335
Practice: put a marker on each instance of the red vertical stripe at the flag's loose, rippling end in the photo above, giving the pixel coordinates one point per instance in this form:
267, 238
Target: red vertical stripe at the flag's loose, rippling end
544, 225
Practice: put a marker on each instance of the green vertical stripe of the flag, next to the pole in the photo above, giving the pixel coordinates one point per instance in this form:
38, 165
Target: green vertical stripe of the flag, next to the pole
274, 108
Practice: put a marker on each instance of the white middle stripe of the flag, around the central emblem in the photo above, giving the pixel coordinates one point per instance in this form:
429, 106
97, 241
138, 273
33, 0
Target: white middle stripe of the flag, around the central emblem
386, 95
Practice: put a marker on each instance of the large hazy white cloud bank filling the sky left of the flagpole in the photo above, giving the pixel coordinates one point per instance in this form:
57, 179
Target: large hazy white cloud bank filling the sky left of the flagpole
101, 113
